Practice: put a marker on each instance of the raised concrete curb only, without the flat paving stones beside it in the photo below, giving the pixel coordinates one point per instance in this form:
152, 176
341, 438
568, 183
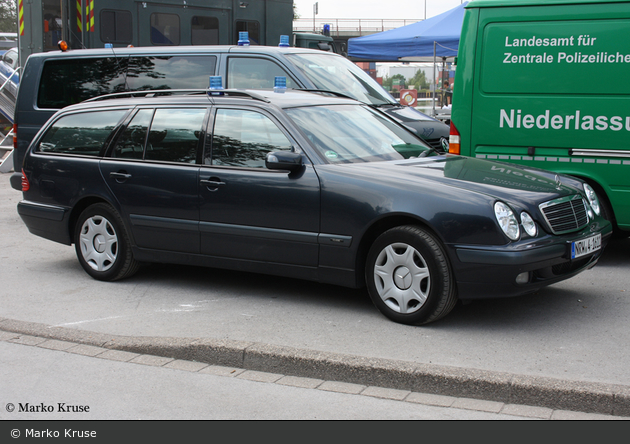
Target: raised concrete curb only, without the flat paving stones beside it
558, 394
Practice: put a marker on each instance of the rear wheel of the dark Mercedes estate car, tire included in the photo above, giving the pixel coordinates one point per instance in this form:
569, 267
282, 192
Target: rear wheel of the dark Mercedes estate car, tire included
102, 244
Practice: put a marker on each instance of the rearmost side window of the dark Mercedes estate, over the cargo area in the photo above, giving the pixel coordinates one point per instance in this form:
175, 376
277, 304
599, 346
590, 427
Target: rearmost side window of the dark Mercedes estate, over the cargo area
83, 134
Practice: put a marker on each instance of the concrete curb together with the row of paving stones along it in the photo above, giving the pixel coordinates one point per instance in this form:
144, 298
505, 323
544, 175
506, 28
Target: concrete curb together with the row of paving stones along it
499, 393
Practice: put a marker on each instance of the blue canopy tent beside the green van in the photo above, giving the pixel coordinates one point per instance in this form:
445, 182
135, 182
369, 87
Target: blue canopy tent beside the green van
422, 41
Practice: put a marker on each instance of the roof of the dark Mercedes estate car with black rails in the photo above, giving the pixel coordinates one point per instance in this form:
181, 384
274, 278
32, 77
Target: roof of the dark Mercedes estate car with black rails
287, 99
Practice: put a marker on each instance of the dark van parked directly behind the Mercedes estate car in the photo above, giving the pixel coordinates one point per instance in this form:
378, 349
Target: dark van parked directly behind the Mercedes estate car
53, 80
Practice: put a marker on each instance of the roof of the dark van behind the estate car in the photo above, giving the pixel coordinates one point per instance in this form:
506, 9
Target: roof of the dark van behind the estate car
178, 50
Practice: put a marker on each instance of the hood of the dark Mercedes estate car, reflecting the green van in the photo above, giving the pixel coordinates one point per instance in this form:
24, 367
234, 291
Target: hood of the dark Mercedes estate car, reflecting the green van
500, 180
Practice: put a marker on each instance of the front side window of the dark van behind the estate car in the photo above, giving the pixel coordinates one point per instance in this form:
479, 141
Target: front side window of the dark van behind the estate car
256, 73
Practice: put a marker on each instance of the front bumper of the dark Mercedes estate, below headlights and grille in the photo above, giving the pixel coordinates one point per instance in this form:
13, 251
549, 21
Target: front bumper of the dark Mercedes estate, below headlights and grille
483, 272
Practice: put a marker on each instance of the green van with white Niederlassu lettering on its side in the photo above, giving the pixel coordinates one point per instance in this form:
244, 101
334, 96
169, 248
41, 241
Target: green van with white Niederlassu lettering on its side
544, 83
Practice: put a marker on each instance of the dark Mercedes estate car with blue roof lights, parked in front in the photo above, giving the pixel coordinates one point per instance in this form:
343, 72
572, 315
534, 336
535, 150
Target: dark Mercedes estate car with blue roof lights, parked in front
303, 185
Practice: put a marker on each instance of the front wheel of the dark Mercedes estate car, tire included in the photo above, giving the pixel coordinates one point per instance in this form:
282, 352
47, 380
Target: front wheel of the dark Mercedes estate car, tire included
409, 277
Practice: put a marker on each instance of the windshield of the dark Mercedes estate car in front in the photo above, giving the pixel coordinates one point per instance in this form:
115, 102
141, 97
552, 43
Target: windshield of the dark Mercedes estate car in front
353, 134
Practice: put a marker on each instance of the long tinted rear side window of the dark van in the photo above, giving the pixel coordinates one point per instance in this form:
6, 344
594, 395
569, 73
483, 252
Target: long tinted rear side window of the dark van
68, 81
